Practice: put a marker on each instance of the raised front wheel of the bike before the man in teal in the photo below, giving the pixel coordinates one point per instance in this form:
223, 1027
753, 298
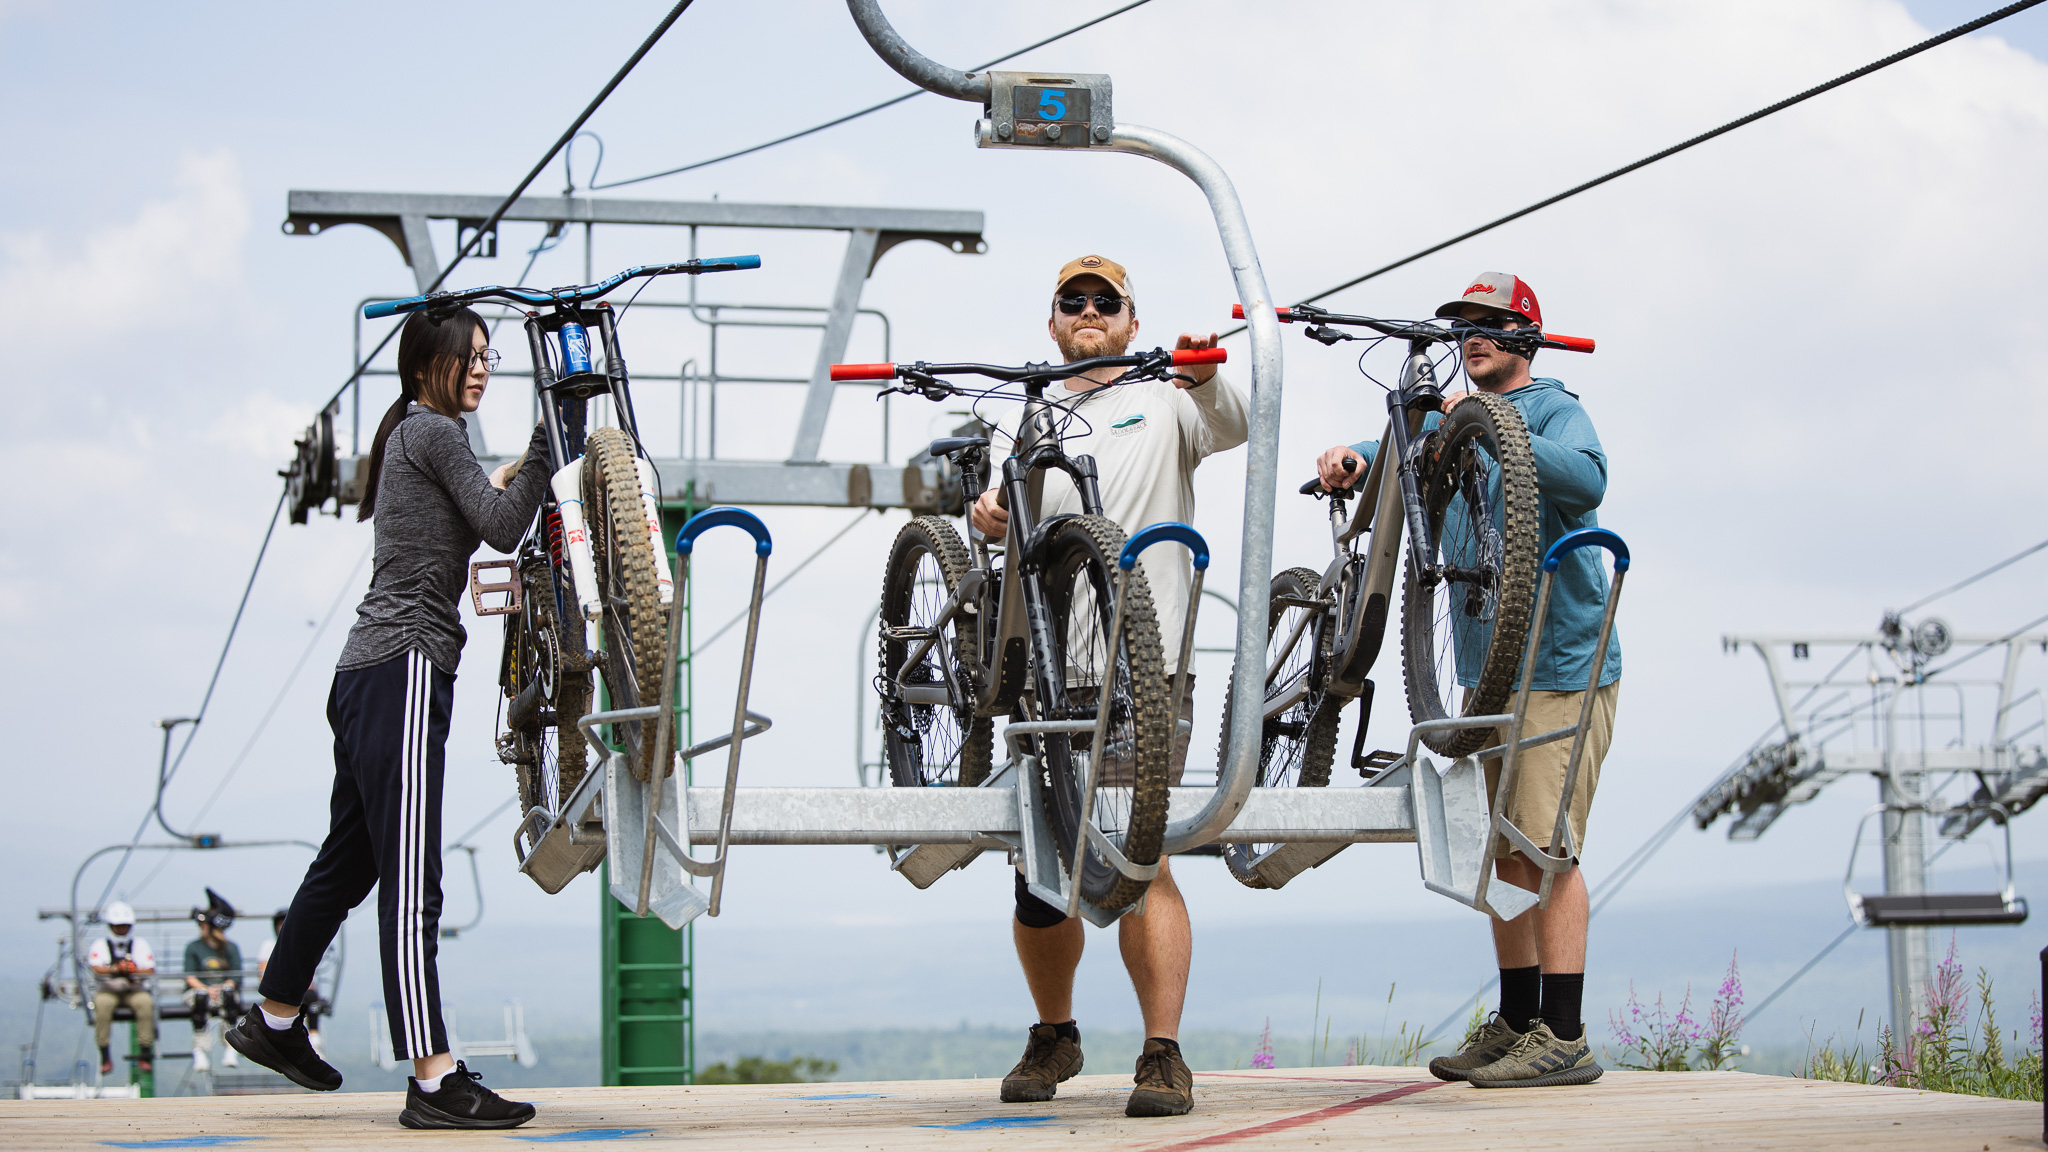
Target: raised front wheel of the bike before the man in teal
1463, 622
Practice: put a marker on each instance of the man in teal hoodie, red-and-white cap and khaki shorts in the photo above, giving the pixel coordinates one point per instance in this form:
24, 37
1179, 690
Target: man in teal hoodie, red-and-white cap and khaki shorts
1537, 1036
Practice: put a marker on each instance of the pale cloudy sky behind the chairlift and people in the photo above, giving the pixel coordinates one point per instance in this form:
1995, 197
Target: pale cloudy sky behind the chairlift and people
1816, 374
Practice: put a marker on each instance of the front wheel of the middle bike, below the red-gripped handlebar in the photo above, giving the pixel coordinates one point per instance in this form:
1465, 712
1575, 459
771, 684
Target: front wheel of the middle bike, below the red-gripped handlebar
1121, 673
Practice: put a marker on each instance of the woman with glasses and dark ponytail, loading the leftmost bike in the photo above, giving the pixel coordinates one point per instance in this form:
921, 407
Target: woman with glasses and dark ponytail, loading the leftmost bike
390, 704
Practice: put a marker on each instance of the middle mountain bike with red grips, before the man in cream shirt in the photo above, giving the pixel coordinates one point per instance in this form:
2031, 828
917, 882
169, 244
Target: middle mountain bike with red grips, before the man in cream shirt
1041, 636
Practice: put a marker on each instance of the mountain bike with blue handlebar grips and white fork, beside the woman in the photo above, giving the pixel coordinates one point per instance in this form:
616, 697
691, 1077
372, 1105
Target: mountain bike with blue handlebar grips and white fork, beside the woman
589, 587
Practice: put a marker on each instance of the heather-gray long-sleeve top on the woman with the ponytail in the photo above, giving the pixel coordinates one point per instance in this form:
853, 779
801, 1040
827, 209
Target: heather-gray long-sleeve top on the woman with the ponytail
435, 505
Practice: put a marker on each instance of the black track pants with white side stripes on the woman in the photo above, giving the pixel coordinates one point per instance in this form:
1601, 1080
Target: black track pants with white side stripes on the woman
384, 831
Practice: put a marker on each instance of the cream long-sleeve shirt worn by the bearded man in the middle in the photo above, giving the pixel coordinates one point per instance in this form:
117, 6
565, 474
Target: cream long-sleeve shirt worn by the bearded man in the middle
1148, 440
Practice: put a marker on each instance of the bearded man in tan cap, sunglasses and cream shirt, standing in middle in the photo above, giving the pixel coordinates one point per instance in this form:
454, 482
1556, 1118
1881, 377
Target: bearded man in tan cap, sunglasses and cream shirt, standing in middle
1148, 438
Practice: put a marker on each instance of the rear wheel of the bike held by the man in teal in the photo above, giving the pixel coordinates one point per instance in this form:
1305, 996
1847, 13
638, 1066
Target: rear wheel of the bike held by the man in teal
1299, 737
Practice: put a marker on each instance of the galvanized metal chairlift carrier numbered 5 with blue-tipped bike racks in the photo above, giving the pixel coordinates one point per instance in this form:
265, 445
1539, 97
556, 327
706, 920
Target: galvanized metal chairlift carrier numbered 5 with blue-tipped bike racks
1443, 811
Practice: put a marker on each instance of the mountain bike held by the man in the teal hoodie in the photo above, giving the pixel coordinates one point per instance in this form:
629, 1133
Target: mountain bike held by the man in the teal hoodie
1461, 493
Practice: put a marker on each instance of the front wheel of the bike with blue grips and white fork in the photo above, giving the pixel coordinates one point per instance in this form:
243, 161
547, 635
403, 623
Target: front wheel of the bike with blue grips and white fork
634, 628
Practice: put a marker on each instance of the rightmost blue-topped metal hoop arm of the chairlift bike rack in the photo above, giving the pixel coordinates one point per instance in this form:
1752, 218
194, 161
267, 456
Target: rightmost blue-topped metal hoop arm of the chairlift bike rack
1564, 854
